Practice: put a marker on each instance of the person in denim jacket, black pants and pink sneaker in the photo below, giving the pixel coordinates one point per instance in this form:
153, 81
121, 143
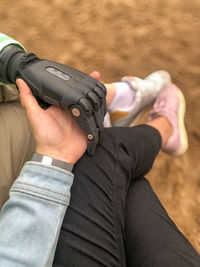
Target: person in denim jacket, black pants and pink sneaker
113, 218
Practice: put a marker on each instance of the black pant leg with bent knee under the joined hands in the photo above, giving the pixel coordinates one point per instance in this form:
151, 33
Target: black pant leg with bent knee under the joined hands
93, 231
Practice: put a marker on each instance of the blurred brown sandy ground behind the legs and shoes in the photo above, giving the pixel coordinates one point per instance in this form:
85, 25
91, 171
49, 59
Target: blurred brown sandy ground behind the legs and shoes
120, 37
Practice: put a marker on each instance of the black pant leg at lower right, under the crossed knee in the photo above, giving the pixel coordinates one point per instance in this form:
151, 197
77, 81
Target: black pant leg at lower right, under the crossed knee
153, 240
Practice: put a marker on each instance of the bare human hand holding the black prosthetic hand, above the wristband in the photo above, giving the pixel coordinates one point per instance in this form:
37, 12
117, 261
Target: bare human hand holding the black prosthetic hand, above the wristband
55, 131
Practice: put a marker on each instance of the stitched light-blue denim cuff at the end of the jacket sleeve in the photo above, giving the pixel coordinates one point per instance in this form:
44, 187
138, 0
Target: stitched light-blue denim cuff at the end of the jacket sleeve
48, 182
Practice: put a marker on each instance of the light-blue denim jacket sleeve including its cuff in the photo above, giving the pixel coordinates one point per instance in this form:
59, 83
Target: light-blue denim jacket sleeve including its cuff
31, 219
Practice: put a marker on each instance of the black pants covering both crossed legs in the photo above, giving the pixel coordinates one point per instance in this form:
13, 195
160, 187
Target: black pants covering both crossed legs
114, 218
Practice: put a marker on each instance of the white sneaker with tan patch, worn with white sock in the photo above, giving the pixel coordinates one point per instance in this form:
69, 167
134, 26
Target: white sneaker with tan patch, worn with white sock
146, 92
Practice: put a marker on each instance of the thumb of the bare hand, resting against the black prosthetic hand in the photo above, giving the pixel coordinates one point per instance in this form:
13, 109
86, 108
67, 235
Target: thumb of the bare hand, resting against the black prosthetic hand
27, 99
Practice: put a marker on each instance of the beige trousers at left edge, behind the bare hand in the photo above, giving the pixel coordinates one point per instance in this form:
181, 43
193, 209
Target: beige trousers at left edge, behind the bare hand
16, 141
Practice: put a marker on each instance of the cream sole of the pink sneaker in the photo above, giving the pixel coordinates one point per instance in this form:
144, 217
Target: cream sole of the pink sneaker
183, 134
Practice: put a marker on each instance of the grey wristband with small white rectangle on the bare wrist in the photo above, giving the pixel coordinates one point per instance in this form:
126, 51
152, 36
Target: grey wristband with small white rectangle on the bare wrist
50, 161
